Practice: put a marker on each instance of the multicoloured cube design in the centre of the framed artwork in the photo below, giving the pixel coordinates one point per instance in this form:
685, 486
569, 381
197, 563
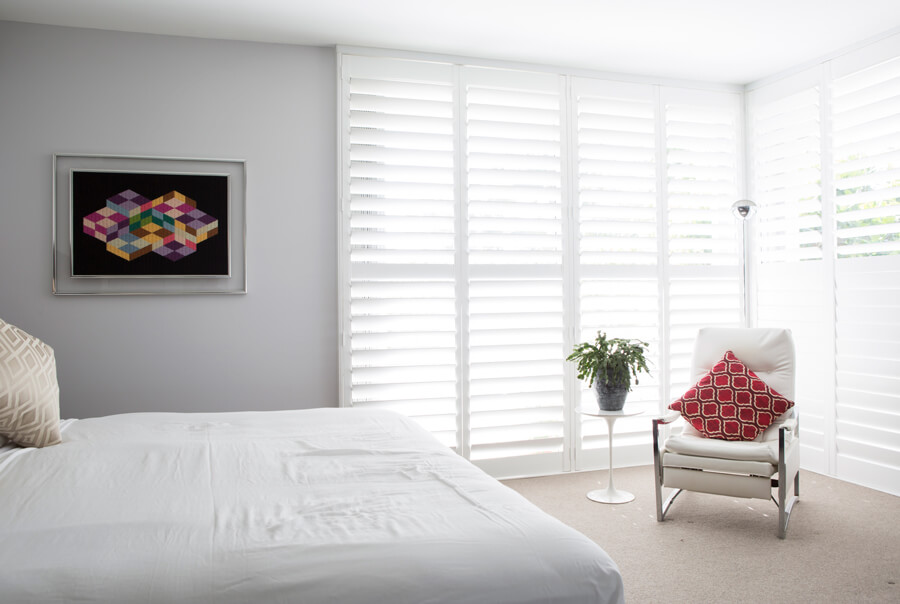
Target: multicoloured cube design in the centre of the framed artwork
131, 225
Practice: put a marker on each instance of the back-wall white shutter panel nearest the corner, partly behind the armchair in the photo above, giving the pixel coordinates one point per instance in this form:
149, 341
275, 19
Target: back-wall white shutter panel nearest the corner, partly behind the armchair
702, 138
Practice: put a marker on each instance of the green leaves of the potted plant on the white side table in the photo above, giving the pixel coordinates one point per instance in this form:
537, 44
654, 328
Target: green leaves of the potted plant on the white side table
611, 360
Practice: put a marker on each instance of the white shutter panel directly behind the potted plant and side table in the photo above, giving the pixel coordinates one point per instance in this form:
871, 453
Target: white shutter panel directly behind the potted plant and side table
618, 252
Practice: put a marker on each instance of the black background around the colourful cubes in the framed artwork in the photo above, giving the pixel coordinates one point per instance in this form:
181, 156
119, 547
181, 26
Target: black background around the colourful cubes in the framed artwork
90, 190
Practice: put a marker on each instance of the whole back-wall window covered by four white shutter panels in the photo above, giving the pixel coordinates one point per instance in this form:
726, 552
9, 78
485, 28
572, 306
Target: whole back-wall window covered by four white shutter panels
492, 218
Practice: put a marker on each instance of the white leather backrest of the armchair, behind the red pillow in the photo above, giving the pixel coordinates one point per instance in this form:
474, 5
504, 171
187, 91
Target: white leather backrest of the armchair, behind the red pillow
767, 352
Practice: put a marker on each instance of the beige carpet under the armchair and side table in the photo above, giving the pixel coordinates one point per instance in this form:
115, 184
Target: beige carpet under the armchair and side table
843, 541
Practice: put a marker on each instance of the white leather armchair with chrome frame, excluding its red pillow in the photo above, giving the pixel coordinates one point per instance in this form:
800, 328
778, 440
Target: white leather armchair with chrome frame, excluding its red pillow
750, 469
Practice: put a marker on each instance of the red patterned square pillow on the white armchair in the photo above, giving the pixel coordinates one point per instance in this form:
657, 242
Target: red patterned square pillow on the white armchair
731, 402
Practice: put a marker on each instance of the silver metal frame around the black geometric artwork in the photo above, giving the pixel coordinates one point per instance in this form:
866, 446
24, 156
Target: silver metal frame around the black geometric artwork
230, 173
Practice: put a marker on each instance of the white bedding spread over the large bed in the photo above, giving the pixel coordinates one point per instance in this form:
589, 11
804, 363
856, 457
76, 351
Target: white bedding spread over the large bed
322, 505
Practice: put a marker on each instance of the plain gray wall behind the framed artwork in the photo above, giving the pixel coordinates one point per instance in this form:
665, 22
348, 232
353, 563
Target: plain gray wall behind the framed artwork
70, 90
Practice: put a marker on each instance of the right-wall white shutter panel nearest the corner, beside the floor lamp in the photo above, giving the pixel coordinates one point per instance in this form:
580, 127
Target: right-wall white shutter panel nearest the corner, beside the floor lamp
785, 136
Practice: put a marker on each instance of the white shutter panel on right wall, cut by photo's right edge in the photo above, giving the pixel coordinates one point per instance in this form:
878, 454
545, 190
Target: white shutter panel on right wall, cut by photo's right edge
867, 273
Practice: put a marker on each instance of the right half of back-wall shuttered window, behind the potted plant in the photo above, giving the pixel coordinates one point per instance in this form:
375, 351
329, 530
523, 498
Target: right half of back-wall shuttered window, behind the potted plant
657, 174
